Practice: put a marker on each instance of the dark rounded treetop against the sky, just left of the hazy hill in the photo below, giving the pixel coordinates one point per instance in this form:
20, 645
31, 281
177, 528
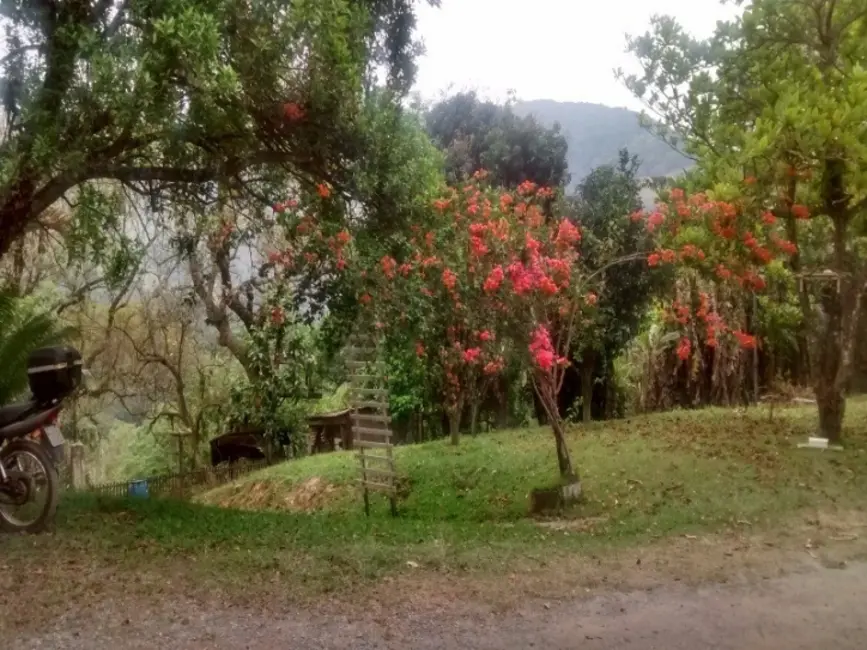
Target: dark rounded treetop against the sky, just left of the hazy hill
476, 134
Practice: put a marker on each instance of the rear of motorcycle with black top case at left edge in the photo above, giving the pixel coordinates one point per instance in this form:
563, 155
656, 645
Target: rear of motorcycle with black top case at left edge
31, 443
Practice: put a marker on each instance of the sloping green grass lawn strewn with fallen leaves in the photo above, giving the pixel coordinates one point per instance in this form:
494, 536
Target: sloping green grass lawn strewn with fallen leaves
465, 509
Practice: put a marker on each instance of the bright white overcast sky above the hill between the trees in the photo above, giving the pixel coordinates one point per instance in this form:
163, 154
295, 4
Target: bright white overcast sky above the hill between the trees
564, 50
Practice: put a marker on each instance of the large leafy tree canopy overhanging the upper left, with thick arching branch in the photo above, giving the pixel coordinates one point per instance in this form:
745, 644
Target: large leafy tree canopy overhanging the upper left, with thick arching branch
168, 98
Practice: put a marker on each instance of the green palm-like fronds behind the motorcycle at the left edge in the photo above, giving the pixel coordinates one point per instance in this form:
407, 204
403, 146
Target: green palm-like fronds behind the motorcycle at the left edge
24, 326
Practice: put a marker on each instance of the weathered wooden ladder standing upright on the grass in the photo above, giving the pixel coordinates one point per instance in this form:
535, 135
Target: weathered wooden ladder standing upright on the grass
371, 424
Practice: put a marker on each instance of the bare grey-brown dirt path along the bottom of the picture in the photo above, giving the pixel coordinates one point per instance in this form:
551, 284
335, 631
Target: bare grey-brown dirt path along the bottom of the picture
817, 609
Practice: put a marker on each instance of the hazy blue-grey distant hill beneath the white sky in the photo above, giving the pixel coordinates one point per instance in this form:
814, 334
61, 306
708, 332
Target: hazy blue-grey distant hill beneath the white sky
596, 133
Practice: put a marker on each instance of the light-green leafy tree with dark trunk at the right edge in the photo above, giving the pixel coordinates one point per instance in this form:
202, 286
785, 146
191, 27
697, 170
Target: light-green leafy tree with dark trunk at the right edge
776, 99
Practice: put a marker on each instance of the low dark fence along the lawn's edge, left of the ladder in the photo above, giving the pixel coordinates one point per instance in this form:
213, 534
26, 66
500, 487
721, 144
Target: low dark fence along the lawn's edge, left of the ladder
178, 485
